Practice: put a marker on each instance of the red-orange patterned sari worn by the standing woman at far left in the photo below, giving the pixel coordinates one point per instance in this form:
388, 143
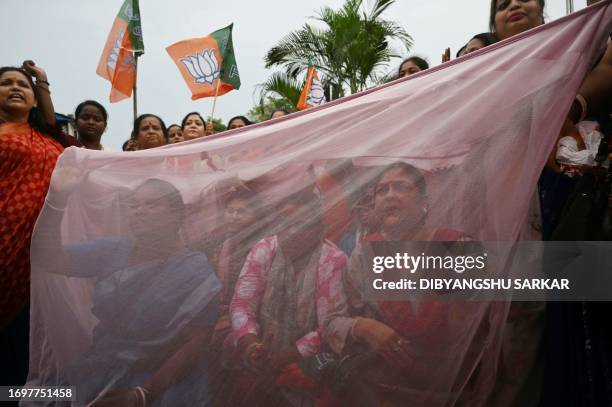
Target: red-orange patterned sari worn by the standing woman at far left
27, 159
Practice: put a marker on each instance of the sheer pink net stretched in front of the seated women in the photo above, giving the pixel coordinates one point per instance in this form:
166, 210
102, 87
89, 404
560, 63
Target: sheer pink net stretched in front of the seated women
146, 253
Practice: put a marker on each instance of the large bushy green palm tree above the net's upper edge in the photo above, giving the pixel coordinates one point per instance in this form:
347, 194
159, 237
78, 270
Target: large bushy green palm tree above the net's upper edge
348, 51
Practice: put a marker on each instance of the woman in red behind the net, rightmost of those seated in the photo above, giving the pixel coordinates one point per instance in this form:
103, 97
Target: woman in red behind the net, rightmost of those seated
411, 352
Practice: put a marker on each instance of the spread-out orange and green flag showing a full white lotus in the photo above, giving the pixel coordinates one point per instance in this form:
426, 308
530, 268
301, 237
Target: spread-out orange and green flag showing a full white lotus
207, 62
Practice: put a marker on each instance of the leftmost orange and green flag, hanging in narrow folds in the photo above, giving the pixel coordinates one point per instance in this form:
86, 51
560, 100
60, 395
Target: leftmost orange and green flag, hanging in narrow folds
117, 63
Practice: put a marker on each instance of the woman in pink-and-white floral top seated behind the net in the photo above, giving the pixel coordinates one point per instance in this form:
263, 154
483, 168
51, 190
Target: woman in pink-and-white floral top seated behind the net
287, 287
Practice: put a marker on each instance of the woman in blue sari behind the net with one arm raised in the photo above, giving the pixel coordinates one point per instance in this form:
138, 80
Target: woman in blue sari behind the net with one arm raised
154, 299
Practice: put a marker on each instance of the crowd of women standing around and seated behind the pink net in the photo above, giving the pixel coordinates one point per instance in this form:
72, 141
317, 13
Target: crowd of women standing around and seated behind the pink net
282, 317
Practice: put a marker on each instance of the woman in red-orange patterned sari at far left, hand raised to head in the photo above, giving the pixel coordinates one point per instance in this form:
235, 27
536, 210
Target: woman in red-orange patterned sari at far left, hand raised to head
30, 143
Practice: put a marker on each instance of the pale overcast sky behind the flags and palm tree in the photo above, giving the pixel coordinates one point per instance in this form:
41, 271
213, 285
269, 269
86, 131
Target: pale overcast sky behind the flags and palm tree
66, 38
